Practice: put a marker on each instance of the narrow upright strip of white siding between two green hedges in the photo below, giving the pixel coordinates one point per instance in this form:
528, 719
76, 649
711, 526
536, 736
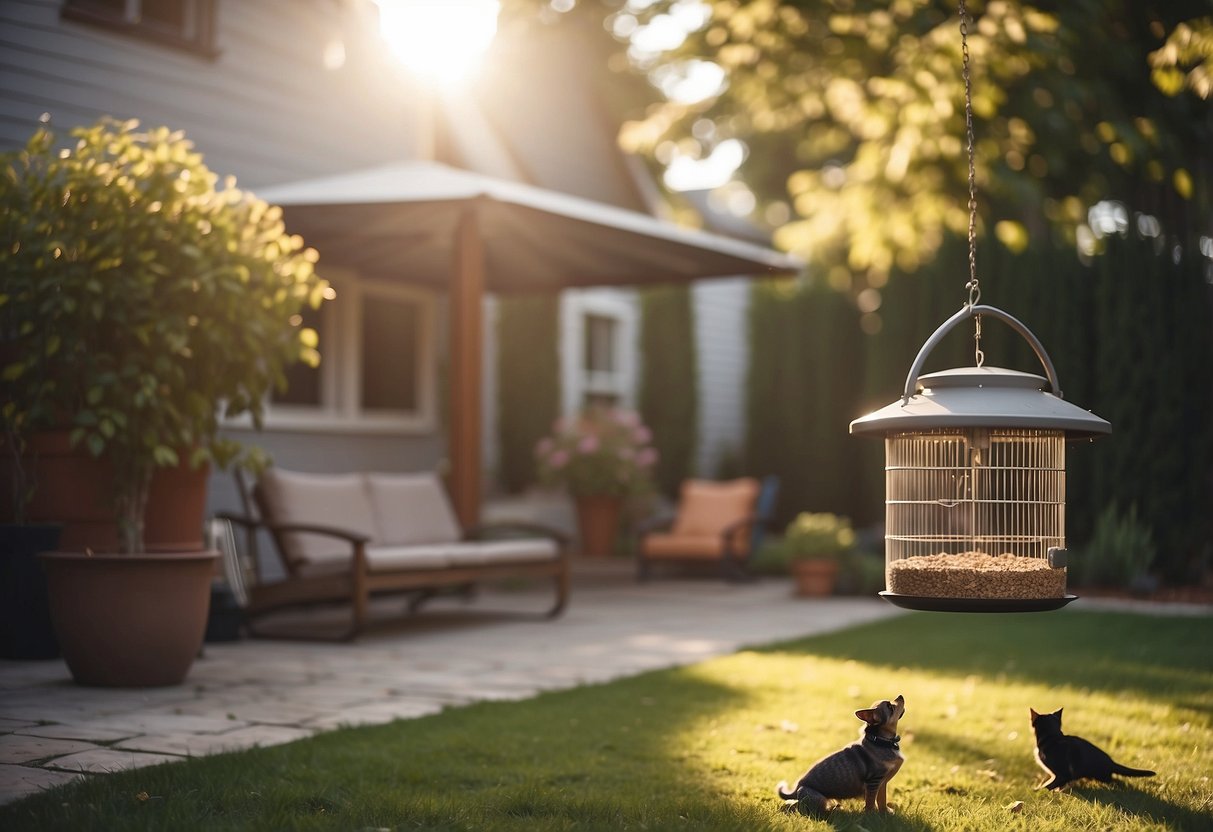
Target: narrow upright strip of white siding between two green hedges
724, 352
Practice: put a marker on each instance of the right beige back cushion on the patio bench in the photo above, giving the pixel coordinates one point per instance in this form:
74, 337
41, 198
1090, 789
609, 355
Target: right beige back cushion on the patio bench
412, 510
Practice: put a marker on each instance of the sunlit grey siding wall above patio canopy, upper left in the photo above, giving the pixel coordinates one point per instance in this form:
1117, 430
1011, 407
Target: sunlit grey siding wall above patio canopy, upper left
266, 110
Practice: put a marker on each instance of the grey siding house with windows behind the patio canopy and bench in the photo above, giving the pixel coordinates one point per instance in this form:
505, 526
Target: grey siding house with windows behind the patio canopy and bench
276, 92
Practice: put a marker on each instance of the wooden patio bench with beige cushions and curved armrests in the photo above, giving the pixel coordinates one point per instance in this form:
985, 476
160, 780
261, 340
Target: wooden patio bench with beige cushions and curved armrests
346, 538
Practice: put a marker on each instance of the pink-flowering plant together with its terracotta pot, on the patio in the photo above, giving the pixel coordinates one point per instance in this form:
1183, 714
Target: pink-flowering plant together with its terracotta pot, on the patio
601, 458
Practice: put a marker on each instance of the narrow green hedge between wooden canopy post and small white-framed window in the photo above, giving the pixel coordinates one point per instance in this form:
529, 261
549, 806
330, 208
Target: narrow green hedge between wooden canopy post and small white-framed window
528, 384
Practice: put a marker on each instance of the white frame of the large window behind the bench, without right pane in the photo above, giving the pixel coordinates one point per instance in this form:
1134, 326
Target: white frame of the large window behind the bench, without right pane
341, 362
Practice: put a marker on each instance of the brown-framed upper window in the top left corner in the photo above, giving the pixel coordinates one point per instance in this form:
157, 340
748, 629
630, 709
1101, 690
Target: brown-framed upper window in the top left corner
187, 25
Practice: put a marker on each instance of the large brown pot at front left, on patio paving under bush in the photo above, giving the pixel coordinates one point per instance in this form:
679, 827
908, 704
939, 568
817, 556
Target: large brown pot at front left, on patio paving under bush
130, 620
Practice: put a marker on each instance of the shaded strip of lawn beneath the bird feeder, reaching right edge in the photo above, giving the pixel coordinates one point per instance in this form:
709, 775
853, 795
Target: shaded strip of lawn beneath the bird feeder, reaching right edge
1100, 651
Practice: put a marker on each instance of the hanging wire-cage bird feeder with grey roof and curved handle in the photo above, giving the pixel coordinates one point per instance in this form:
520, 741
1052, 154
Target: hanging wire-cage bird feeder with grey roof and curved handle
976, 483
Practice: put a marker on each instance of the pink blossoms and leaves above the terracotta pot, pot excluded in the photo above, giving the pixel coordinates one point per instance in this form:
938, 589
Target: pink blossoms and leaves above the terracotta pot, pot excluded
602, 453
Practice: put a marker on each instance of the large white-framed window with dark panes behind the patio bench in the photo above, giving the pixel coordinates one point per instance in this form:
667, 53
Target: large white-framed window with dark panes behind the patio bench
377, 368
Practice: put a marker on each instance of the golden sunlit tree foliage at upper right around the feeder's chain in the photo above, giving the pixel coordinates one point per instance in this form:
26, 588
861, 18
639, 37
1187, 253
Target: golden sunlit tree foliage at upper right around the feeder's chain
853, 112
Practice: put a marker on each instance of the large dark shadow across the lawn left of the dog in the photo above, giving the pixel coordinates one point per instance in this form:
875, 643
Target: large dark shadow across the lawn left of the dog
599, 757
